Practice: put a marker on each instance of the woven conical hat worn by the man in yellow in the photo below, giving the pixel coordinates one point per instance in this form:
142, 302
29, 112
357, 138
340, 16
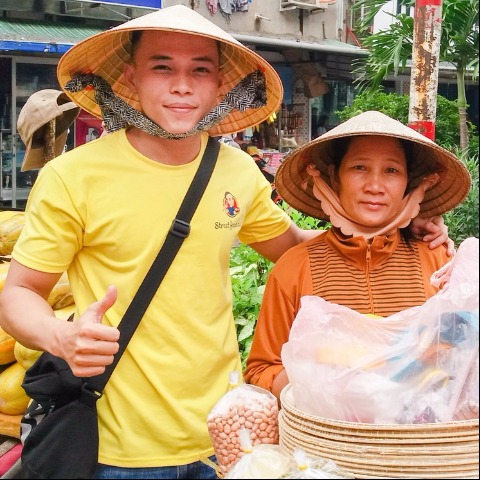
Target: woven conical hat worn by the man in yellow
105, 54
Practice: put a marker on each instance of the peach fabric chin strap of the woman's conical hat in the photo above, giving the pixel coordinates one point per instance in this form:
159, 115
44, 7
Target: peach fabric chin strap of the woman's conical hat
339, 218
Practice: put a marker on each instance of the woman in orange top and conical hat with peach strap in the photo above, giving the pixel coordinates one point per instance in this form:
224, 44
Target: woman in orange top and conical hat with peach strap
369, 177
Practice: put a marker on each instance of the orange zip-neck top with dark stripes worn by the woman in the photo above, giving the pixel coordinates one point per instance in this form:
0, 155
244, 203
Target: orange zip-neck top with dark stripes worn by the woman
387, 276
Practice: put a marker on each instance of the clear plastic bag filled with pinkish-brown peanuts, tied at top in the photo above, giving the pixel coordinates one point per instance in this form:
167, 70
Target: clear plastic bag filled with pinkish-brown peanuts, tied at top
244, 406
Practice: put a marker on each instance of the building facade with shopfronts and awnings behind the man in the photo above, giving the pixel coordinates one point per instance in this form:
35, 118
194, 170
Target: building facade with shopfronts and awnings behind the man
310, 43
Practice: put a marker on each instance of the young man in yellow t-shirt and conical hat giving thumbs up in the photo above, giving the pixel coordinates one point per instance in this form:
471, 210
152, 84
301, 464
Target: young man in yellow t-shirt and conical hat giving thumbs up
102, 211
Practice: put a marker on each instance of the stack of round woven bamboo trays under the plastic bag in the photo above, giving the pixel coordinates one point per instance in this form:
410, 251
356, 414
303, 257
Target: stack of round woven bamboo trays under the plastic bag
428, 450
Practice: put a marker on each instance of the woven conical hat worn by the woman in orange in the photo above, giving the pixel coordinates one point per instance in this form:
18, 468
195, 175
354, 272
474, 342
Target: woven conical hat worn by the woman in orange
295, 185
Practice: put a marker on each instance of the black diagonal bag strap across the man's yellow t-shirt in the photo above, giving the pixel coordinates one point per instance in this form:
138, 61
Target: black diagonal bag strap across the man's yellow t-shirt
179, 230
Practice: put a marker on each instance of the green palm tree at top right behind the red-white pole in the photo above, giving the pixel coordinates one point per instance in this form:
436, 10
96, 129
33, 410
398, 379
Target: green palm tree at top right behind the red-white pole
390, 49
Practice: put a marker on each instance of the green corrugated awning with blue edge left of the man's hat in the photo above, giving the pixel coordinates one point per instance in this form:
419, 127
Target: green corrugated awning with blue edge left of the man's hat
41, 36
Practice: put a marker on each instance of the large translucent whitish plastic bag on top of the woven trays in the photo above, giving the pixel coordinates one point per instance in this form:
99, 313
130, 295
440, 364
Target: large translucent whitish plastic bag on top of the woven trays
417, 366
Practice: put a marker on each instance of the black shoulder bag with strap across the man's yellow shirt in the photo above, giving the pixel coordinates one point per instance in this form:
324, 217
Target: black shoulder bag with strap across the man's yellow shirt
59, 430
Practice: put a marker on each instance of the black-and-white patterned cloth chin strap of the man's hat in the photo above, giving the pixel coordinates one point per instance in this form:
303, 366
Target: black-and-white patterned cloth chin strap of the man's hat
250, 92
